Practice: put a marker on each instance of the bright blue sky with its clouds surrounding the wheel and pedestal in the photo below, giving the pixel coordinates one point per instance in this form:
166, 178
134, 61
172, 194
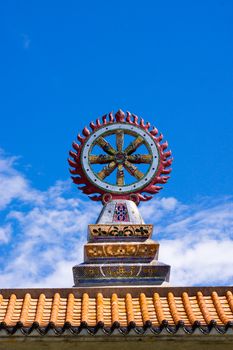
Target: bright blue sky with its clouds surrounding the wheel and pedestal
64, 64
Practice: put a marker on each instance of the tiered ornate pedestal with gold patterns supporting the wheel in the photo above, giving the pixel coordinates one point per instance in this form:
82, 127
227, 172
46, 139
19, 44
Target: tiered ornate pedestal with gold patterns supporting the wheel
120, 250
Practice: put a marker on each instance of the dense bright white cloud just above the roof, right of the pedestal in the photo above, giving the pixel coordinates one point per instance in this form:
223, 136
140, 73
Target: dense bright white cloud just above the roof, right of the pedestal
203, 263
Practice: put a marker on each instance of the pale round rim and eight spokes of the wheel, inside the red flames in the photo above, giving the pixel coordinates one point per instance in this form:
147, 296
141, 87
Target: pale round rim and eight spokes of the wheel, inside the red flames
117, 161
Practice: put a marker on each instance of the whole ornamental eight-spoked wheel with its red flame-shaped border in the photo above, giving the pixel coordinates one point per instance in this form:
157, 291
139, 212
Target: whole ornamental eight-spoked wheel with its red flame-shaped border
120, 158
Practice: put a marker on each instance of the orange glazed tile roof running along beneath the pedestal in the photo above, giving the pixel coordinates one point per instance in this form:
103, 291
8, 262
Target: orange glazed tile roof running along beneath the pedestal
121, 309
